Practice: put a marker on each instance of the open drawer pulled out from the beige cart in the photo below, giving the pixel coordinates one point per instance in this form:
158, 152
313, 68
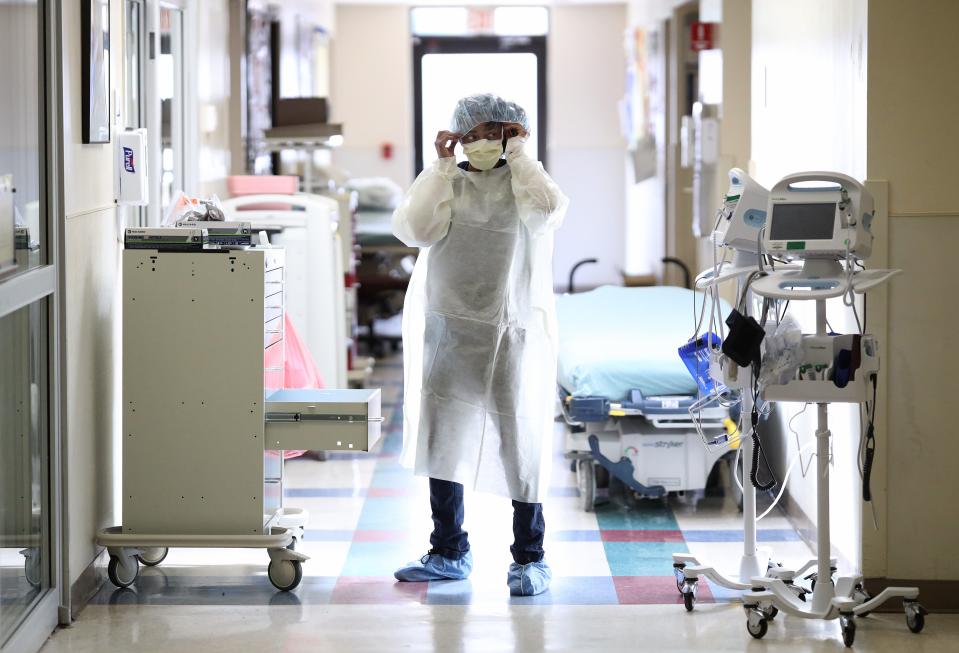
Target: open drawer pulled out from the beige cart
324, 420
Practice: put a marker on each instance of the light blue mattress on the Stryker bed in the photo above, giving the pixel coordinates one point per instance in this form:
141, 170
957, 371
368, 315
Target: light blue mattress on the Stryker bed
613, 340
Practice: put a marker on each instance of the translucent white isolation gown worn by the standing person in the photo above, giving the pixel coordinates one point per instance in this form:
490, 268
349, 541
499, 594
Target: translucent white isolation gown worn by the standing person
479, 325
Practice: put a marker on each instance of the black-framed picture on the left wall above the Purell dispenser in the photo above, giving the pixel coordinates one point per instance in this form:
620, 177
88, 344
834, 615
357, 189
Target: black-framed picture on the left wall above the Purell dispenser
95, 62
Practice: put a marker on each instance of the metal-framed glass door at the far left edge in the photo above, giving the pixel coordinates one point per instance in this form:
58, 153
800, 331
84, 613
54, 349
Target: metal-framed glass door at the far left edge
29, 126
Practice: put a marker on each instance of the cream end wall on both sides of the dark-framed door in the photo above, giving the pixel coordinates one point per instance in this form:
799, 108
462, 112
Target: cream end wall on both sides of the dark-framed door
372, 95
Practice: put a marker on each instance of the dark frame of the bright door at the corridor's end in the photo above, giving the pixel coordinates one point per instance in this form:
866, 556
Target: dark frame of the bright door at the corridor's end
423, 45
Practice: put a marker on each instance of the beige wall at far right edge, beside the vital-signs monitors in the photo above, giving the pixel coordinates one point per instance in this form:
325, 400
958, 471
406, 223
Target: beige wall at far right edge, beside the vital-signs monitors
913, 89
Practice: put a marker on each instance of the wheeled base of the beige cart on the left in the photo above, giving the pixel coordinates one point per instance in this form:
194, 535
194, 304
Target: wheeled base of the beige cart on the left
128, 550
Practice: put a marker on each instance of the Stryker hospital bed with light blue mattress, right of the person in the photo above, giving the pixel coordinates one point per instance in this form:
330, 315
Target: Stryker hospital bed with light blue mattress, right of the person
625, 393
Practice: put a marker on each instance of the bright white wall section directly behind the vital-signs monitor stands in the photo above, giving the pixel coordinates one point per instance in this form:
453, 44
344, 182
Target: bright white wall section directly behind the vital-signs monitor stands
809, 113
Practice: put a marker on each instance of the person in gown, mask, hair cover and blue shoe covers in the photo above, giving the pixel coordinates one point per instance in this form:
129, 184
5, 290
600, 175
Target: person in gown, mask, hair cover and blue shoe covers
479, 335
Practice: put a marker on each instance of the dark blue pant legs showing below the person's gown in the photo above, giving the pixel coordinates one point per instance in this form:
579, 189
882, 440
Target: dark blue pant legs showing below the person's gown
450, 540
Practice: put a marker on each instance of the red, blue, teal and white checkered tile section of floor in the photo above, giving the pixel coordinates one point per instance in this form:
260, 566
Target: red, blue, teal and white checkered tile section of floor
368, 515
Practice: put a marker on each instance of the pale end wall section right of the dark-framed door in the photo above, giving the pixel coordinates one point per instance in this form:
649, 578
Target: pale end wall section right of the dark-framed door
586, 81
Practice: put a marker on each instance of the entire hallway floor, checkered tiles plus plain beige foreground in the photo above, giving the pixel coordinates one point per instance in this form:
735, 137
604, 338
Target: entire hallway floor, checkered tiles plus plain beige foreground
613, 586
